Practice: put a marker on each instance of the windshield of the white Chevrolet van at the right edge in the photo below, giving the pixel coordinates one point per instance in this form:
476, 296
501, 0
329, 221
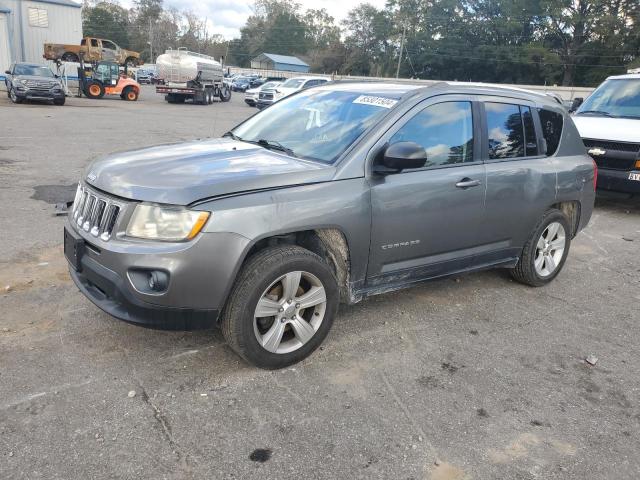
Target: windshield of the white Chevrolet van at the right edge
614, 98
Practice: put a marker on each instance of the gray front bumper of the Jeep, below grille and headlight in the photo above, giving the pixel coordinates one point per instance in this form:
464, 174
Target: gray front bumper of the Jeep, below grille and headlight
200, 275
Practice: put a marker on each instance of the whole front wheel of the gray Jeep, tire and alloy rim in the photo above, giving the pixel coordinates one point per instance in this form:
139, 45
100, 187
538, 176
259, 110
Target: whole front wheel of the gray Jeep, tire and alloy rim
298, 288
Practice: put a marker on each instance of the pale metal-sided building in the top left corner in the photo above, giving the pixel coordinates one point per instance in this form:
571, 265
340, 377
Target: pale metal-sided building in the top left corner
25, 25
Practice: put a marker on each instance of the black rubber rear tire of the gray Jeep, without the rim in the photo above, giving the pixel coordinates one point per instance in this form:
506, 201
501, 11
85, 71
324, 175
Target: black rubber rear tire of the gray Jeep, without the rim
525, 271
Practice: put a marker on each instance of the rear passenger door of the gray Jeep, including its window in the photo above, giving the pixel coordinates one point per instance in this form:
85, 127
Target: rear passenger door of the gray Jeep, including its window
521, 179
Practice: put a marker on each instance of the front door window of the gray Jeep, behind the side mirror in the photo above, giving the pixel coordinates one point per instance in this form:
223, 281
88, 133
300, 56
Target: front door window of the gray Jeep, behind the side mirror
445, 130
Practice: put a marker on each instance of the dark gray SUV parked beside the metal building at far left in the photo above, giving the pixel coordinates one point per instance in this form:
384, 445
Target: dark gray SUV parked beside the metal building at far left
30, 81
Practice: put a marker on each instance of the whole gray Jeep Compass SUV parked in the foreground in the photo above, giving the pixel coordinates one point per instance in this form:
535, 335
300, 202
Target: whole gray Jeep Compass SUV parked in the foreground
331, 195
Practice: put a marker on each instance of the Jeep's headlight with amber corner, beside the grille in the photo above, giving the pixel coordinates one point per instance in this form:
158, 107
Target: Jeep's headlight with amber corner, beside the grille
169, 224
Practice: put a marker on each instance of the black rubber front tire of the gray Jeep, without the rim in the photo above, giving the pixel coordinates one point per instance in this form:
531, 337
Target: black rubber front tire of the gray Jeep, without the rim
259, 272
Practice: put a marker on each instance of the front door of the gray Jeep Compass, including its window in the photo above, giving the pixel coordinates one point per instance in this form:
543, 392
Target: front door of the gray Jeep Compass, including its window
425, 221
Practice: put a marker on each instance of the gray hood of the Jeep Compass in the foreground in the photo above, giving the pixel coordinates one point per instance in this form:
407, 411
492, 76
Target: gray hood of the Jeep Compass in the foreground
183, 173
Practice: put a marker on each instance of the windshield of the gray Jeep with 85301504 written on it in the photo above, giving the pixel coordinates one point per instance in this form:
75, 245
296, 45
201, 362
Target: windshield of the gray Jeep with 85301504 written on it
315, 124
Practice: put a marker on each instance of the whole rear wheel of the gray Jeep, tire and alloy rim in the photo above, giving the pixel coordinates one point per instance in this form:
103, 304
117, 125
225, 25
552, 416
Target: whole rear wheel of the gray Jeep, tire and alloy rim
545, 252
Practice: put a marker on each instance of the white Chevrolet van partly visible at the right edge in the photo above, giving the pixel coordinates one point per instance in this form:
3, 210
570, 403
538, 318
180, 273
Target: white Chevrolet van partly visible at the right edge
609, 124
